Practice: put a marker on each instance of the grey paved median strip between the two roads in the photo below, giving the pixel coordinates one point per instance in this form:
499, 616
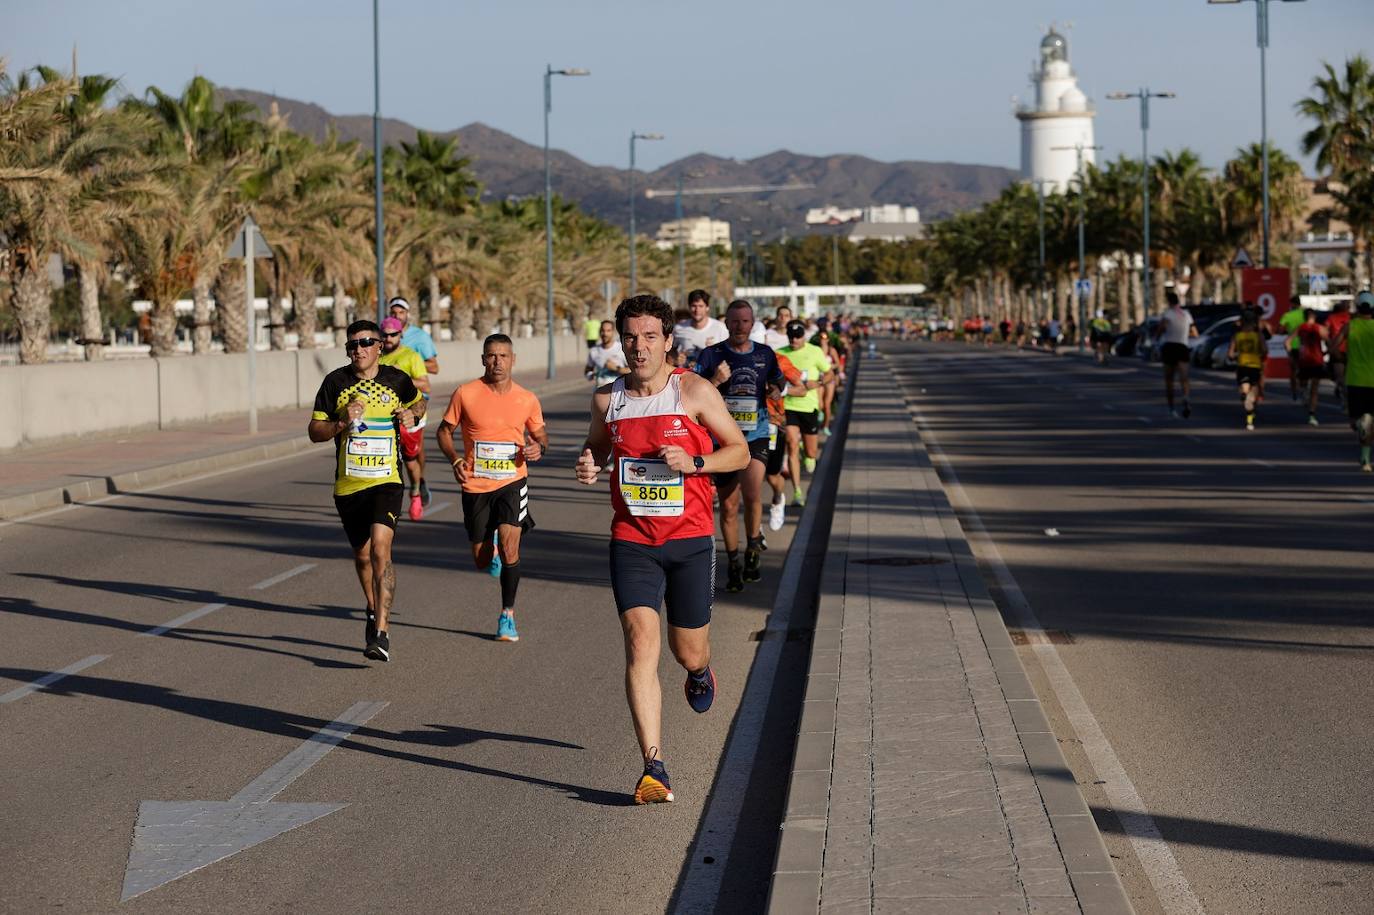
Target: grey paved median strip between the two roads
927, 777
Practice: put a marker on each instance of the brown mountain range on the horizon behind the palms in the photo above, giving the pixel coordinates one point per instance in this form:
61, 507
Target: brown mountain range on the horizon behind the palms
510, 168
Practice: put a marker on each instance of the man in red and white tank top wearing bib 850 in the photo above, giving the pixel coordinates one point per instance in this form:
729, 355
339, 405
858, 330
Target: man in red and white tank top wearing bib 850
655, 427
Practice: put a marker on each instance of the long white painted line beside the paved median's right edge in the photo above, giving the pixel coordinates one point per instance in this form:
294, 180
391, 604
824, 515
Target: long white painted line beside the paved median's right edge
1163, 870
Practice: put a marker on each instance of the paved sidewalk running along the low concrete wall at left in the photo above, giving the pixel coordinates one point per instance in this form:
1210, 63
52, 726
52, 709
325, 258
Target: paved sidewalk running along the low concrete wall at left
41, 479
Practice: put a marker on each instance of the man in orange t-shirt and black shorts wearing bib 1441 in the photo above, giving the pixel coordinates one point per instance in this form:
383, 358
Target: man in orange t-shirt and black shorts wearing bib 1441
504, 431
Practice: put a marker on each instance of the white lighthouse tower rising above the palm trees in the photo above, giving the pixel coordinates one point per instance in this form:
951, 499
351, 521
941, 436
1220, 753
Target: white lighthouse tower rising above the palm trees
1061, 117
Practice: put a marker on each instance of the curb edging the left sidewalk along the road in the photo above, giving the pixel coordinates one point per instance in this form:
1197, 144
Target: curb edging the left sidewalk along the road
16, 508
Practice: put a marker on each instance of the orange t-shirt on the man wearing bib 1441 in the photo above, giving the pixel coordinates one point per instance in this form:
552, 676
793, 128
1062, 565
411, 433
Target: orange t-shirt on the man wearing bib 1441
494, 432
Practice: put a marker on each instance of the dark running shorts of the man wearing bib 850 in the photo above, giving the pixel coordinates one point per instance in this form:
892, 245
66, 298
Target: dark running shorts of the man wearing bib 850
681, 575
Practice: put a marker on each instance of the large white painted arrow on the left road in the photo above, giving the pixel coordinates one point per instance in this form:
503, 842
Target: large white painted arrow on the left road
174, 839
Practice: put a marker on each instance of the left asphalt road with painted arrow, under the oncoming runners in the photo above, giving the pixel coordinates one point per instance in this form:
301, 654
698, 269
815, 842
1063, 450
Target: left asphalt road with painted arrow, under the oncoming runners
495, 778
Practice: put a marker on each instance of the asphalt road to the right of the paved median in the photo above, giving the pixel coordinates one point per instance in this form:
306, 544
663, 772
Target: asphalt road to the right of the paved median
1210, 590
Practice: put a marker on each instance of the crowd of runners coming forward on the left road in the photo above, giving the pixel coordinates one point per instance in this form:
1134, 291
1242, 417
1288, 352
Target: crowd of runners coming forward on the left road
690, 420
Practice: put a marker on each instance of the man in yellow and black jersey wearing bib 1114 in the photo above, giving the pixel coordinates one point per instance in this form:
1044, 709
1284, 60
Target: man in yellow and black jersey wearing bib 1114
359, 407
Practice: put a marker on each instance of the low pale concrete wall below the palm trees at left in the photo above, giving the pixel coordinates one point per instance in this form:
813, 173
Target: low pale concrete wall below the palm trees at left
47, 405
